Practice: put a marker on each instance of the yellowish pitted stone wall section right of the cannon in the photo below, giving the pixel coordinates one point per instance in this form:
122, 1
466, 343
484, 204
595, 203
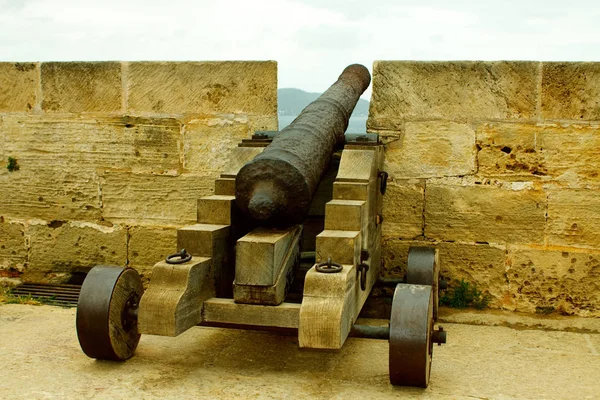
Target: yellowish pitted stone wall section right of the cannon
498, 163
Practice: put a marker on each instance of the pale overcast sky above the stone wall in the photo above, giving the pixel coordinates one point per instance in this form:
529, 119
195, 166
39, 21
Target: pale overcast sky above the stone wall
312, 40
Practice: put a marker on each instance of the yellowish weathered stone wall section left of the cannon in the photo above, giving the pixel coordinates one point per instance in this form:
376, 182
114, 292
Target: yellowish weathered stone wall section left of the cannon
112, 156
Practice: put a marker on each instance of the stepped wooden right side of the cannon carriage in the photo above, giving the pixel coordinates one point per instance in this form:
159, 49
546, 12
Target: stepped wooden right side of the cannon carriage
332, 302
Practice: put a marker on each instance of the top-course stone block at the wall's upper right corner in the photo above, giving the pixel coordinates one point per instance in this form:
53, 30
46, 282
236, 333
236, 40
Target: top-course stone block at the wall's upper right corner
571, 90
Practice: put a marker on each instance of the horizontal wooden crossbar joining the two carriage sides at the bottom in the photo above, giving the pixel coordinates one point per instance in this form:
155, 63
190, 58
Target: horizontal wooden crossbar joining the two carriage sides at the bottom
226, 311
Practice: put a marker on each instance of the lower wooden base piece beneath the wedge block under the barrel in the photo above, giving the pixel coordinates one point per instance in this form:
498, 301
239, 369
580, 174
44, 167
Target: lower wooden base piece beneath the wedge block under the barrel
272, 294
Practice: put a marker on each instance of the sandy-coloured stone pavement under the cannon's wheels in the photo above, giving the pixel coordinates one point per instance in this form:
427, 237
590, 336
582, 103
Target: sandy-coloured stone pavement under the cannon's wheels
40, 358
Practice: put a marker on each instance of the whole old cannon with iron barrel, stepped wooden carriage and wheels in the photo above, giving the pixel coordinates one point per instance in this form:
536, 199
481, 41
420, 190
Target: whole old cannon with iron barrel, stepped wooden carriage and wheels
290, 240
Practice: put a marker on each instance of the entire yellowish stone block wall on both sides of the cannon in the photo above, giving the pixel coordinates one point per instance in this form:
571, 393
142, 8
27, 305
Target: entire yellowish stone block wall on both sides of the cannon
498, 163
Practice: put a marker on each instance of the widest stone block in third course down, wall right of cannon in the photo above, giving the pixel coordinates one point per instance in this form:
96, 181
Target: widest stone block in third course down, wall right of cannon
484, 213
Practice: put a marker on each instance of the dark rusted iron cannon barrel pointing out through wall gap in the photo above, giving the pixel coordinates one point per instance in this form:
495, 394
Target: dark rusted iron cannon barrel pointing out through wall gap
277, 186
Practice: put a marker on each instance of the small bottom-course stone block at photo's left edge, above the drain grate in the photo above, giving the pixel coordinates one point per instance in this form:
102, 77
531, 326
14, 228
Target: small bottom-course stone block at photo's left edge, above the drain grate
13, 246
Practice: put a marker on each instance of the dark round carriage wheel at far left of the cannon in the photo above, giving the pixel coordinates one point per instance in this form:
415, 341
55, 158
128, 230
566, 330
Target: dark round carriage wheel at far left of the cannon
107, 313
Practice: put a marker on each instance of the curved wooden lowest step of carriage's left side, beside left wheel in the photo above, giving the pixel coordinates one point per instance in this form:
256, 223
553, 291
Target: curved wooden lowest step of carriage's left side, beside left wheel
173, 302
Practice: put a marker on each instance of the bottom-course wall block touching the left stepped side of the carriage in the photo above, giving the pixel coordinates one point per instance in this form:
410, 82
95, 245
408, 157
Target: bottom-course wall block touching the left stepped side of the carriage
149, 245
